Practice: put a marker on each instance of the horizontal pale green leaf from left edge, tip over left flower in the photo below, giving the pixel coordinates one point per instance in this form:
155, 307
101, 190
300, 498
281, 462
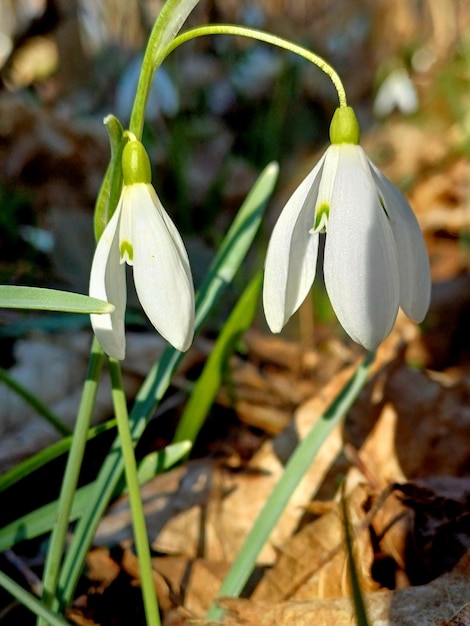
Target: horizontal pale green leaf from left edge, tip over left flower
14, 297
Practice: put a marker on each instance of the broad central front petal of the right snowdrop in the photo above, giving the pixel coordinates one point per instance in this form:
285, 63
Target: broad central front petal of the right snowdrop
360, 266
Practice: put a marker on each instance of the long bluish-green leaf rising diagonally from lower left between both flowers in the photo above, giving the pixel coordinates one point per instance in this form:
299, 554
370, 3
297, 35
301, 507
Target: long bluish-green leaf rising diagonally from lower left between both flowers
226, 263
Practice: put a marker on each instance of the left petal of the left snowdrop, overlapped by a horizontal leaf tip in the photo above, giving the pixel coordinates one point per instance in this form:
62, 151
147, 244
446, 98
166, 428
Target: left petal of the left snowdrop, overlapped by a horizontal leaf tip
108, 282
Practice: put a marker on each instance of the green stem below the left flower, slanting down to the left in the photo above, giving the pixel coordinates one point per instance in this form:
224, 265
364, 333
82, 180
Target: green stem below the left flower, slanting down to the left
70, 480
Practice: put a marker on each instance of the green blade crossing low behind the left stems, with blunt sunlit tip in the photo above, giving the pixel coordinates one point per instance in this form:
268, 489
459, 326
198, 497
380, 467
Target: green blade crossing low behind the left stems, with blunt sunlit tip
41, 521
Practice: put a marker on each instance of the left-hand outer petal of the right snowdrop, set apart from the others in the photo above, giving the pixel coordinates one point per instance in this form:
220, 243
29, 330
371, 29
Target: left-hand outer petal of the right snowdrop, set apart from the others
291, 258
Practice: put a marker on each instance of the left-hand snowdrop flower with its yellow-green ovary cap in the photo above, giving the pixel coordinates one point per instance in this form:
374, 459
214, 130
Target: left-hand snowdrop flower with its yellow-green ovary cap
141, 234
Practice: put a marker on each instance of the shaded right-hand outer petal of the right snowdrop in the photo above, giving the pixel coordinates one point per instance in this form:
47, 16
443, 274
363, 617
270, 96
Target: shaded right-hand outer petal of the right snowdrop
413, 259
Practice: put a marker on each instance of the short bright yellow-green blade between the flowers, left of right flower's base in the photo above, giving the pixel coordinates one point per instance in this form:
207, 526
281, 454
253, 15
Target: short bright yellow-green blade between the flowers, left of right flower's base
208, 383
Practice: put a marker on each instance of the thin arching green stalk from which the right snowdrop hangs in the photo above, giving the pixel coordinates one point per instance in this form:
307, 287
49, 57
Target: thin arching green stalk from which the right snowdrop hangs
259, 35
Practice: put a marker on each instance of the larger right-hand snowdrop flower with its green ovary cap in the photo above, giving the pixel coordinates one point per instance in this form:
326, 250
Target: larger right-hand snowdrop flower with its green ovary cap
375, 257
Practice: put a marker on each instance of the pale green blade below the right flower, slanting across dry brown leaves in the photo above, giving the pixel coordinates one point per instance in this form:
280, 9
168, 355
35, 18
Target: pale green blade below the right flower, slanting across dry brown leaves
295, 469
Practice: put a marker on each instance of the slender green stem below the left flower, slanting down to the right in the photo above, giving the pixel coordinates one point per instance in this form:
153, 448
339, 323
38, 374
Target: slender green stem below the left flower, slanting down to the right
138, 517
